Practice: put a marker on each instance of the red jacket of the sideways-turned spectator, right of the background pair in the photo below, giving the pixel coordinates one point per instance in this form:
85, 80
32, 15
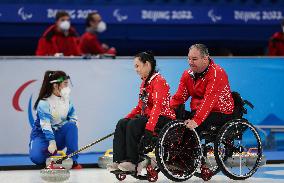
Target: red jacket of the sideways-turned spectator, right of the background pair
90, 44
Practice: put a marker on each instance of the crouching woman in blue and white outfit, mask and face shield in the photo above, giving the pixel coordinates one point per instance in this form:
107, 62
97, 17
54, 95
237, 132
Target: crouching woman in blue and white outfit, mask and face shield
56, 122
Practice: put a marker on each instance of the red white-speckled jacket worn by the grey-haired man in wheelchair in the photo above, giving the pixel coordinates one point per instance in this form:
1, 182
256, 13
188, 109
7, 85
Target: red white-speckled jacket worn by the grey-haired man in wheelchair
209, 93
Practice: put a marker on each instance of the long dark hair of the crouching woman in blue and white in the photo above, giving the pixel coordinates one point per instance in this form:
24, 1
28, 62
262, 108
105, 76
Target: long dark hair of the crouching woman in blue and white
46, 87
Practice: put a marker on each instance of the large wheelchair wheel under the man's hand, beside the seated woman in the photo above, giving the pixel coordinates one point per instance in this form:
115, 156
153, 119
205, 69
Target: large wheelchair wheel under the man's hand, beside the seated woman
178, 151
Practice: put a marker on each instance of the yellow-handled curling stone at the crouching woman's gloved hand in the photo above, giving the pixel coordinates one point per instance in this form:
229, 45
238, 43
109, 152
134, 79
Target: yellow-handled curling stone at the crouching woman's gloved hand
67, 164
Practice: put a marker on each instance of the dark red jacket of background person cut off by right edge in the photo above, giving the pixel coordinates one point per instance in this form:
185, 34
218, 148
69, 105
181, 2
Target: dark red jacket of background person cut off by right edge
276, 44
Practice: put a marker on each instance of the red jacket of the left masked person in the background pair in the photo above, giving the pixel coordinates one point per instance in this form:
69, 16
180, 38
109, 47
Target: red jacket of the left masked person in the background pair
54, 41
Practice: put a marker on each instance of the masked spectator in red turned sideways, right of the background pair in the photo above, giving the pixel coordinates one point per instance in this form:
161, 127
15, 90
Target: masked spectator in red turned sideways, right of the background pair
89, 43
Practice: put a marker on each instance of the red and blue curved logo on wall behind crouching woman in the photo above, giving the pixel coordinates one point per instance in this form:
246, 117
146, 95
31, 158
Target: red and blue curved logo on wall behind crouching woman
16, 98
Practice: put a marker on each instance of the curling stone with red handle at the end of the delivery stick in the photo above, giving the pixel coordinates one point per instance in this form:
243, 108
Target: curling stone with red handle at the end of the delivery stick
54, 174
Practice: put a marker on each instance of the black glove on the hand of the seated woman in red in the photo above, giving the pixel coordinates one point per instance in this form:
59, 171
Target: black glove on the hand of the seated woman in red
147, 142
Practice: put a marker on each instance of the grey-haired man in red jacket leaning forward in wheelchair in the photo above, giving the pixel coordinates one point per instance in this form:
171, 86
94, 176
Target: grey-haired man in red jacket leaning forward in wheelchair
208, 86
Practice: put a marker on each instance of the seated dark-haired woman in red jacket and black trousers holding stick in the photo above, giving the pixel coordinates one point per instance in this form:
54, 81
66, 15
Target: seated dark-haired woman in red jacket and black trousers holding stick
151, 114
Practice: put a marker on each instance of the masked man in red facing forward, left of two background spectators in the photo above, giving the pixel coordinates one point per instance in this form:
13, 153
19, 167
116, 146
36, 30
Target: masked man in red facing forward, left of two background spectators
59, 39
